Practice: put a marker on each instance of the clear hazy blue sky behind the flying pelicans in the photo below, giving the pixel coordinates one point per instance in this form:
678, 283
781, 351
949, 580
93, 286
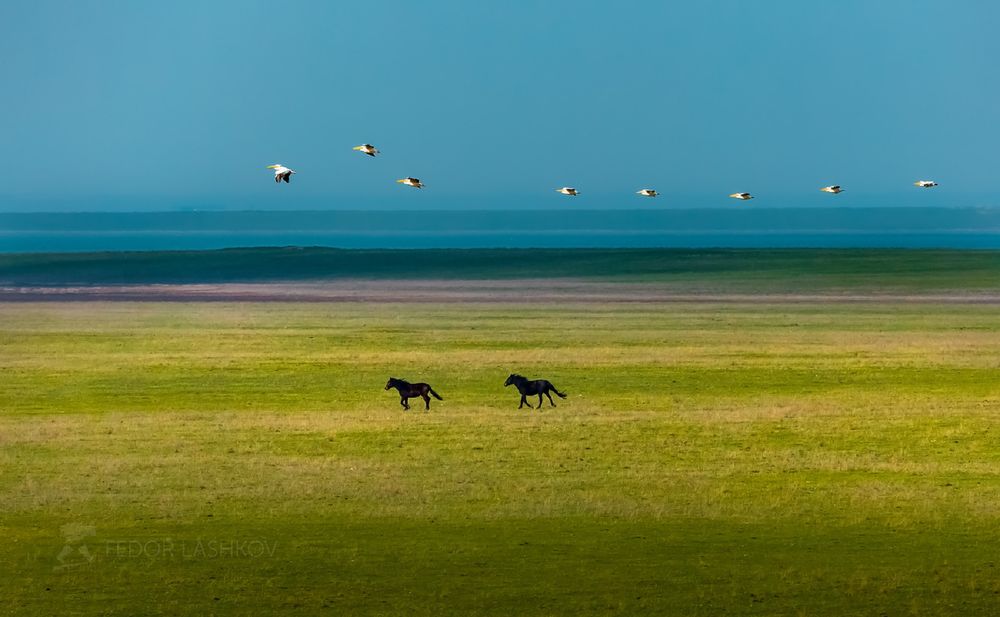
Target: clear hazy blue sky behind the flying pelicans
181, 105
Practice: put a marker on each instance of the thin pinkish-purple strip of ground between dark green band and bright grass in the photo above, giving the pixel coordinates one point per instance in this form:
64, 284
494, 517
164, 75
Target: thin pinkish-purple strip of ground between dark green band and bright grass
451, 291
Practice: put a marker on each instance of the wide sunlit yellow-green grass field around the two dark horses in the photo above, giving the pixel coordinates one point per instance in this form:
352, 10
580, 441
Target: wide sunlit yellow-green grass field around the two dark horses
213, 458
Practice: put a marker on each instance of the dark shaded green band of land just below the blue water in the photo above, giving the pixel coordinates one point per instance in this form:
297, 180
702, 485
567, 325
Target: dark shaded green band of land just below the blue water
661, 272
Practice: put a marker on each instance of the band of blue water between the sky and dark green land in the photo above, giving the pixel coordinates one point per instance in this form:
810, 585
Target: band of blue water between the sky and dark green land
971, 228
